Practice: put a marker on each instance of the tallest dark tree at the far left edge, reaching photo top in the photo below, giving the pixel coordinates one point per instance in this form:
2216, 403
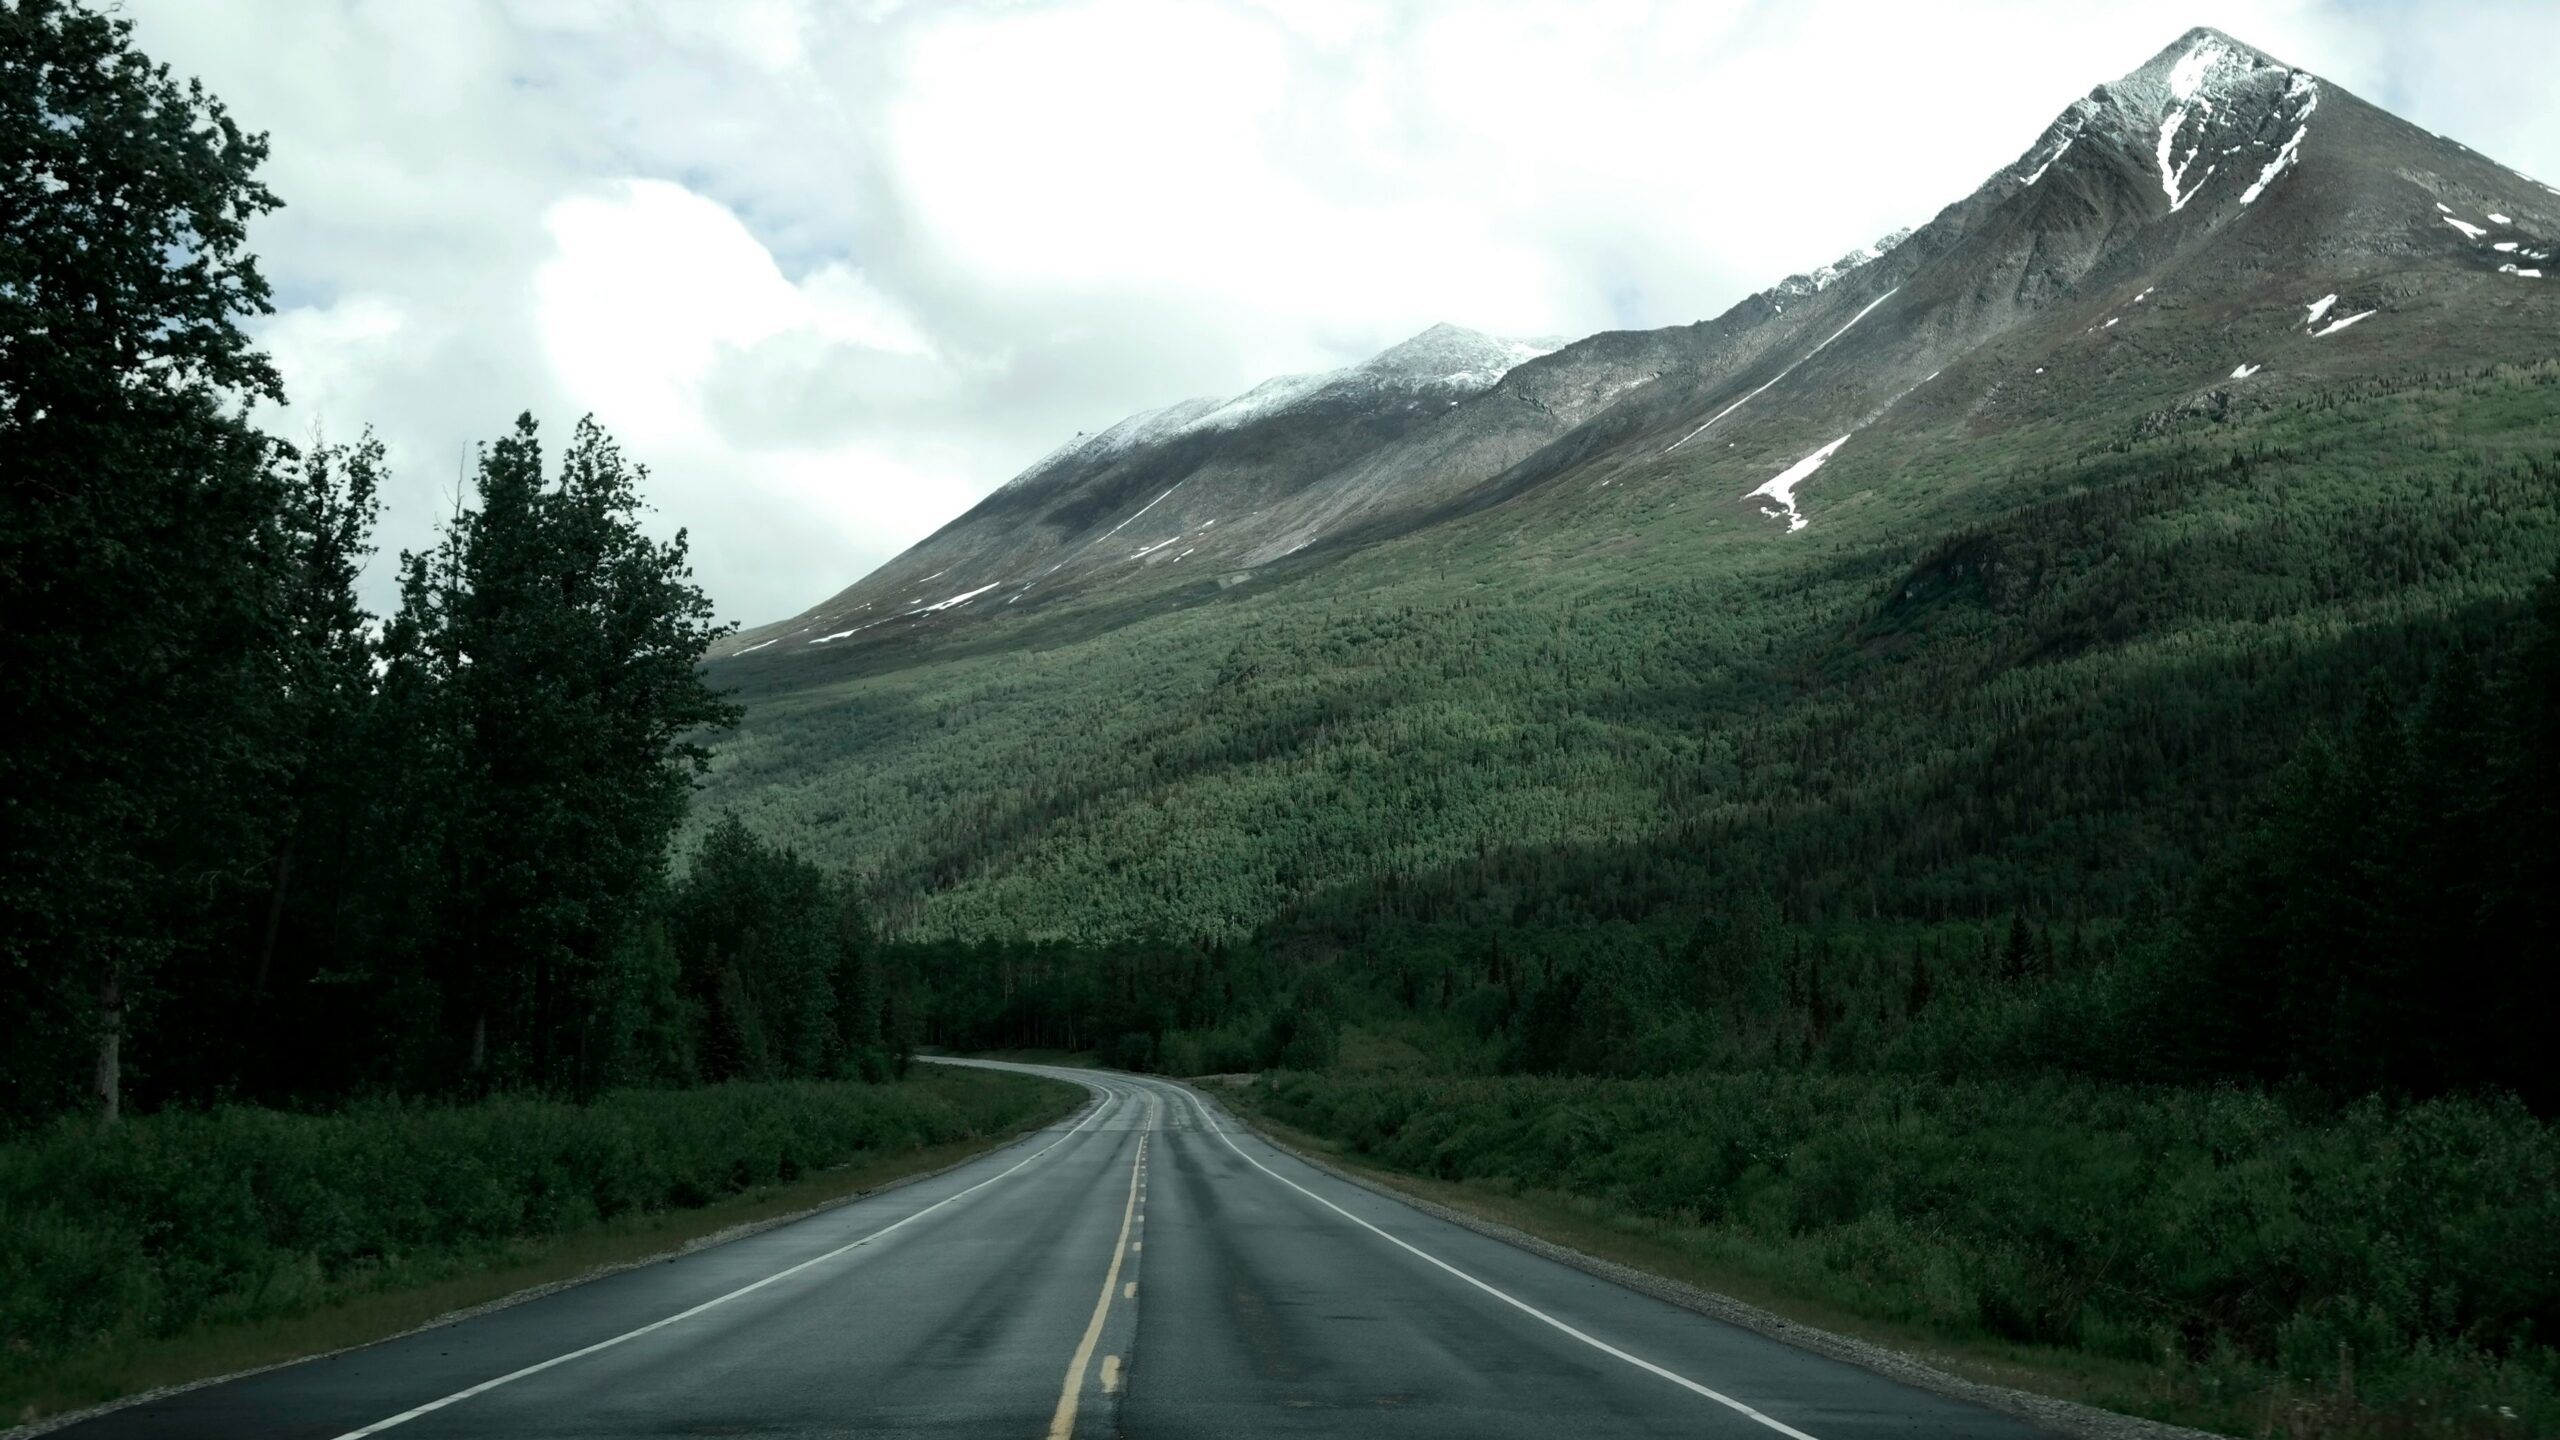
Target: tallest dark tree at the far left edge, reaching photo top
134, 529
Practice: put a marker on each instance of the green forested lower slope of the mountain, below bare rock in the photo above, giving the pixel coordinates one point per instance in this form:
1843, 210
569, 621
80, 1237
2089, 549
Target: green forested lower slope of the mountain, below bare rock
2031, 670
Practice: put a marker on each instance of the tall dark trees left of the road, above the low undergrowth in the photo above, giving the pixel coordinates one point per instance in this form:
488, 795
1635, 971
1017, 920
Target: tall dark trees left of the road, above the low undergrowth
260, 844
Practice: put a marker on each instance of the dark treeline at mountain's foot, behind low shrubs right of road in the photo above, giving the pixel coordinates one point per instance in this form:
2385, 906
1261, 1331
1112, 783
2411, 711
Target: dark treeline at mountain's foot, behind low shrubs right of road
2377, 921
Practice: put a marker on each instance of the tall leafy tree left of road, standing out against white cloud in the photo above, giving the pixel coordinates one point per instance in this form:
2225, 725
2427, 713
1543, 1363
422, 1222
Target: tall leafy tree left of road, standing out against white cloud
549, 667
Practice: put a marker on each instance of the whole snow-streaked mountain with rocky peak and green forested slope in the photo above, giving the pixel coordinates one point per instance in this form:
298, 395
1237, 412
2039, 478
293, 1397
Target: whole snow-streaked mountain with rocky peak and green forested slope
1865, 580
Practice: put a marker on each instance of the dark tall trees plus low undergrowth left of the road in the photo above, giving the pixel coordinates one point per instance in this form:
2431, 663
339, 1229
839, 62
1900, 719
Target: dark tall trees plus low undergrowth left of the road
344, 970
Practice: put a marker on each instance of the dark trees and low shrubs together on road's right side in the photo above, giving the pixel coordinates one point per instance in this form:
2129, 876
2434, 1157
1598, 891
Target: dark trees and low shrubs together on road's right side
2269, 1154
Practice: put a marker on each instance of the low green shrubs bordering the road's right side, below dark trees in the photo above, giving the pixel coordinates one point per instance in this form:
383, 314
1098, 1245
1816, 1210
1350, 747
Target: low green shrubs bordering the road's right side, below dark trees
2239, 1247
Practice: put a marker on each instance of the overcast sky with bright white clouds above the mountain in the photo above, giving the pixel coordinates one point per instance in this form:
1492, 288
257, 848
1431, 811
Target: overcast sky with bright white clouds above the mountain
841, 268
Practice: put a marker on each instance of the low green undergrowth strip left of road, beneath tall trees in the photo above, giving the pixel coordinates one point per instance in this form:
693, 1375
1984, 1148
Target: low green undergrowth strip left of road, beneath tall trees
239, 1213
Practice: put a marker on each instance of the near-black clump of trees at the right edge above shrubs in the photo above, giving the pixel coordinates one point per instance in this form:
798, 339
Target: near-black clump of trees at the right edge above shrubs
2374, 924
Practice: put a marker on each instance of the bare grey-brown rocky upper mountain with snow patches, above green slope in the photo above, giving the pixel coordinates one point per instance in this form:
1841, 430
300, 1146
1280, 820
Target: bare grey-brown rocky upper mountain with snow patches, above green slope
2182, 242
